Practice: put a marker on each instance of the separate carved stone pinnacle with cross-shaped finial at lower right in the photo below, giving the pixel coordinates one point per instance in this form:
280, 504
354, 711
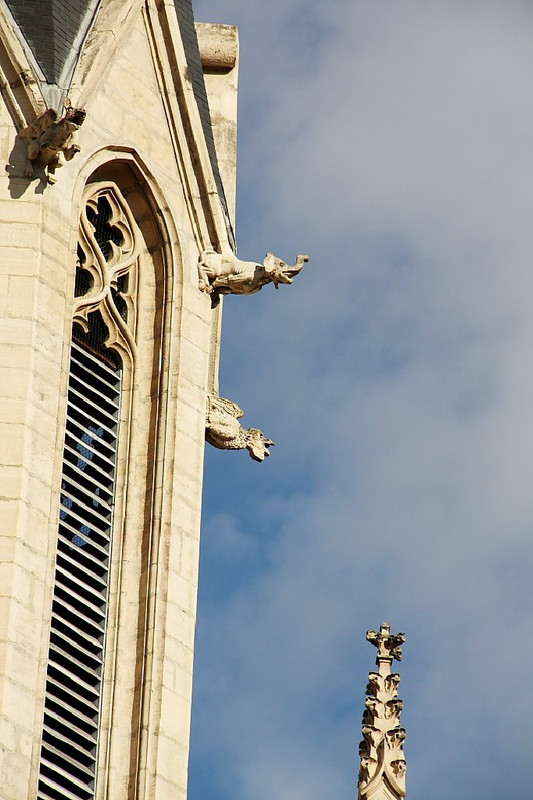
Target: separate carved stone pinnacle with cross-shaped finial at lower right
382, 761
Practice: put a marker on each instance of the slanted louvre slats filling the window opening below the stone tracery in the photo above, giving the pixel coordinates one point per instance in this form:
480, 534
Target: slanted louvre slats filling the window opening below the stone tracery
79, 611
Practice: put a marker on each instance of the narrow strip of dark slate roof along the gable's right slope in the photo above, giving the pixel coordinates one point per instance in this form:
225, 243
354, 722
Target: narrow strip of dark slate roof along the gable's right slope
192, 53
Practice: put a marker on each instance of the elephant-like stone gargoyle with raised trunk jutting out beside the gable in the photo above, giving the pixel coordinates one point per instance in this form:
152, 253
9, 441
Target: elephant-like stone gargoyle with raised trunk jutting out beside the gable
221, 273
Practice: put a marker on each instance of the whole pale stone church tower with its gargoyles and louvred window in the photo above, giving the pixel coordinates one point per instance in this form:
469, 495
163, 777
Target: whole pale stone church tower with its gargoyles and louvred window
117, 132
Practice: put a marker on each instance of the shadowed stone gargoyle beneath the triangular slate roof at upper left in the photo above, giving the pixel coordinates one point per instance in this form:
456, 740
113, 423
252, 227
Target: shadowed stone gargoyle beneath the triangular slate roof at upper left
49, 140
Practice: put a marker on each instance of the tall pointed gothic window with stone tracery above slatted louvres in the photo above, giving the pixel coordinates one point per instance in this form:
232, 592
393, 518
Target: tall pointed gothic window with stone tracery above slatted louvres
102, 347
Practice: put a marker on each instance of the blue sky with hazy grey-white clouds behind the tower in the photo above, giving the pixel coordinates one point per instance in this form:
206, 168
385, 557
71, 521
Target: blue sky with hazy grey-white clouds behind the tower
392, 141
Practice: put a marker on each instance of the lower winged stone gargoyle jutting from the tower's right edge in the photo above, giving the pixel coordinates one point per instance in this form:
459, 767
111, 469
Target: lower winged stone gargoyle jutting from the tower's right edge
223, 429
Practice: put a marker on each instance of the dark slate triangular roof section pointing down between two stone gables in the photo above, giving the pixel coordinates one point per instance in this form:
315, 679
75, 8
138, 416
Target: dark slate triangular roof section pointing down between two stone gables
50, 28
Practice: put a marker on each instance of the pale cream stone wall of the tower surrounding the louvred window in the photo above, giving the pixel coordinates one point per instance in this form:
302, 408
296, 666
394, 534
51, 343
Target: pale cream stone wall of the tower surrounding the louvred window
143, 133
